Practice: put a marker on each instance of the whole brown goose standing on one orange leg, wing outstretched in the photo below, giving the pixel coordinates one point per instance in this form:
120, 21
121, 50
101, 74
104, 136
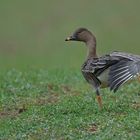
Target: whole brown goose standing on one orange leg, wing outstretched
112, 70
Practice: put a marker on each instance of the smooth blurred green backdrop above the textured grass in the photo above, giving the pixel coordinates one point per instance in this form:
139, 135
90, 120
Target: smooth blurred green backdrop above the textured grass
32, 32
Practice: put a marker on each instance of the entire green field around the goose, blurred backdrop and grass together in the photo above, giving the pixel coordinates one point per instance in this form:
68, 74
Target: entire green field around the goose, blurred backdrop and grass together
42, 92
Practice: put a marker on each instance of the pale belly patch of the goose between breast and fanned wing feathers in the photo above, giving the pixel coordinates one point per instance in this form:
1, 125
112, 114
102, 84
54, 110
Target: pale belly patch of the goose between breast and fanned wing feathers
103, 77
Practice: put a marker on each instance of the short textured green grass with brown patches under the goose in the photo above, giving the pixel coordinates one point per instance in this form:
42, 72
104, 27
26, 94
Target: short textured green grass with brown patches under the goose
57, 104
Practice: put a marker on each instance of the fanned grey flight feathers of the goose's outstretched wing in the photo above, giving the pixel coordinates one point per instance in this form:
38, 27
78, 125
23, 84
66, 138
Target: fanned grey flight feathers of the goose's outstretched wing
126, 69
